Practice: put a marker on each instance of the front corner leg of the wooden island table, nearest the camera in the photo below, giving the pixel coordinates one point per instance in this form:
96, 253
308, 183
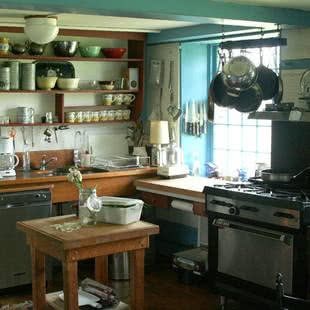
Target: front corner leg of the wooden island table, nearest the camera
70, 285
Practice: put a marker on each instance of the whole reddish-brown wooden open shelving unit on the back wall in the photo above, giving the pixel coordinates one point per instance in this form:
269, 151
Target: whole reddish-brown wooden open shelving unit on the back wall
134, 59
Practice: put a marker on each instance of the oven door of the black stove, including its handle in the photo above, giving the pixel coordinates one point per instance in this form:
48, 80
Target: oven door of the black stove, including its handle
254, 254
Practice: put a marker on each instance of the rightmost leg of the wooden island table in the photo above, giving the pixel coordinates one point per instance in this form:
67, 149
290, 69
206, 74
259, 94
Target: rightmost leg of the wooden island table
137, 279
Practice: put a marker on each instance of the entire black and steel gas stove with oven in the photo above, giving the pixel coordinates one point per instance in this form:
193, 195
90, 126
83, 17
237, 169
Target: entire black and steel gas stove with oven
256, 230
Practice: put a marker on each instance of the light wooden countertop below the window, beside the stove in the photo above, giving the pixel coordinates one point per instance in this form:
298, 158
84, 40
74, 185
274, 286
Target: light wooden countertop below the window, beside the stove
184, 188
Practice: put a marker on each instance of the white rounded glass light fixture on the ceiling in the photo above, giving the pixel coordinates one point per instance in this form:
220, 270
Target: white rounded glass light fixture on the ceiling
41, 29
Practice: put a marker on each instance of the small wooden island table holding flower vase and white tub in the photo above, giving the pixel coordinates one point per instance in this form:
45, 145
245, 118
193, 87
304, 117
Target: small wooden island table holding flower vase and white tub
87, 242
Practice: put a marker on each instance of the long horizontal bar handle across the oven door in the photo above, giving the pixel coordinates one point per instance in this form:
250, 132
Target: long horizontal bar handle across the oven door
266, 233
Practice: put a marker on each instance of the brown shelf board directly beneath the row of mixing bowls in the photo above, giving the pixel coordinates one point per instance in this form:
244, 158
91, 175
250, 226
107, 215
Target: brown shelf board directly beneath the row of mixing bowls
74, 58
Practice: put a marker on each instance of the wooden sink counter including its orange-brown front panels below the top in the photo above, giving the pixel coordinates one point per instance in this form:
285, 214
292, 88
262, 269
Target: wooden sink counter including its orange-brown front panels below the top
116, 183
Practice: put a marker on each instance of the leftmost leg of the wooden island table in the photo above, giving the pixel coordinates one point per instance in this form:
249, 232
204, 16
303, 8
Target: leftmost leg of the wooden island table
38, 279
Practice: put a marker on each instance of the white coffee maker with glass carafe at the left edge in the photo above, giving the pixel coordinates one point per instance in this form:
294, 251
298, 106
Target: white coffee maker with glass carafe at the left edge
8, 159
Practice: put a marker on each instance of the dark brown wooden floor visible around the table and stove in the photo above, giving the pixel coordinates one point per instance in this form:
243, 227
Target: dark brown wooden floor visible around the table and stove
163, 290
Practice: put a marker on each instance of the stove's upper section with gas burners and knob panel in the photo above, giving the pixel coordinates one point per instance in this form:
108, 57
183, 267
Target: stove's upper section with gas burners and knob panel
260, 202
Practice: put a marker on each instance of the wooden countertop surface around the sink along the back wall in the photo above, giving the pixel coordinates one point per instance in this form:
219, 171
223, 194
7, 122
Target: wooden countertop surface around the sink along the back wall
22, 178
